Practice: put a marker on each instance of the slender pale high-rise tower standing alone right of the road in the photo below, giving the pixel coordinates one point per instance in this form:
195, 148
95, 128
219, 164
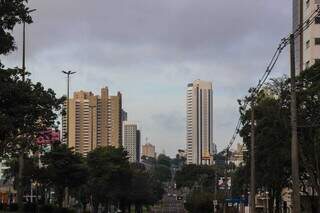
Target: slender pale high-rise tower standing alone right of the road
199, 123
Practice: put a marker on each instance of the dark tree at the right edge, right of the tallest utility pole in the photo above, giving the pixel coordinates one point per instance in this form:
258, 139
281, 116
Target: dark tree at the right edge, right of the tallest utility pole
309, 132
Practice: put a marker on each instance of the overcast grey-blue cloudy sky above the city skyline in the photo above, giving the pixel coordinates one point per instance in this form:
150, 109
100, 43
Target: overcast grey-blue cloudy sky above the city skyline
150, 49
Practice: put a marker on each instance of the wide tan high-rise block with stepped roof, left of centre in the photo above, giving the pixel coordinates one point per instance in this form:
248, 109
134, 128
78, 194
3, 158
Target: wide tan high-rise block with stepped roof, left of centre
93, 121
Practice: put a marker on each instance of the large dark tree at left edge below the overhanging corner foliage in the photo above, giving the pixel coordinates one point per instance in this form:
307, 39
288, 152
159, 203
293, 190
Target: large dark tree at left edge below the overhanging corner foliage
26, 109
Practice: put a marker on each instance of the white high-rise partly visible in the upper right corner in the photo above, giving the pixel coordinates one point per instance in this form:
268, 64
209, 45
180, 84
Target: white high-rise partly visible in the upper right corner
307, 45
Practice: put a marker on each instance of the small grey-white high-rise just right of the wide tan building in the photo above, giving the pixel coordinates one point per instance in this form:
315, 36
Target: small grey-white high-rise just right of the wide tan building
131, 141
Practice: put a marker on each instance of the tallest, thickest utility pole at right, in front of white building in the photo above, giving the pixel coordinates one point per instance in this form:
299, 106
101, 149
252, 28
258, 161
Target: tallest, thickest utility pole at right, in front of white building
294, 134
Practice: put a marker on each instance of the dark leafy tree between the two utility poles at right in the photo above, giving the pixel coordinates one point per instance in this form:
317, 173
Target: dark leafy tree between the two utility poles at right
272, 138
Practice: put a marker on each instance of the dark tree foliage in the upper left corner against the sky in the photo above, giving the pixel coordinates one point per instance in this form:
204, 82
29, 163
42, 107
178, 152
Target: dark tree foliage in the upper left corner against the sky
11, 13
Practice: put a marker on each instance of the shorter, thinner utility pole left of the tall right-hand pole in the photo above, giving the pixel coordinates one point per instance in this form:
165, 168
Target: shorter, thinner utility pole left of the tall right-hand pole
252, 162
